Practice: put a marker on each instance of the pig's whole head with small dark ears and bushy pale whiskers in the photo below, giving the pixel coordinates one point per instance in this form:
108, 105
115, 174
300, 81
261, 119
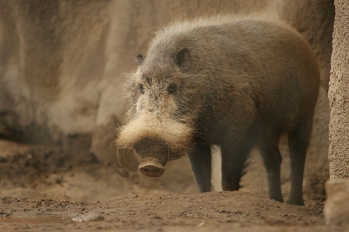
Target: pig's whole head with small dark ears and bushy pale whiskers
161, 111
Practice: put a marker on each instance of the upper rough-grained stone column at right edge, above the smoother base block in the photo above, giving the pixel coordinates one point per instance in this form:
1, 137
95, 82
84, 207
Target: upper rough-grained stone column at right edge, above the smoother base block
339, 95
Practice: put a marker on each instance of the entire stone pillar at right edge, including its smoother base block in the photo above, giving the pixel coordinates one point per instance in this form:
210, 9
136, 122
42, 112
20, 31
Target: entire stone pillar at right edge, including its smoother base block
337, 206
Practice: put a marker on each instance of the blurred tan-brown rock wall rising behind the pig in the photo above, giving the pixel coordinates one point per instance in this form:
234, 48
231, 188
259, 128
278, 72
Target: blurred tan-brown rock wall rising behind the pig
62, 66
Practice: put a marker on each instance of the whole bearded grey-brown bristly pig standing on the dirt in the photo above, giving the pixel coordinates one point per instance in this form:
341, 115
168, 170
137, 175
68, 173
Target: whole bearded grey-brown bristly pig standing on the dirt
240, 82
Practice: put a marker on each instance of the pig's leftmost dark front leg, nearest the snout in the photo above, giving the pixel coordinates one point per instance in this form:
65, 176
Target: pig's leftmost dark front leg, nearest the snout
200, 160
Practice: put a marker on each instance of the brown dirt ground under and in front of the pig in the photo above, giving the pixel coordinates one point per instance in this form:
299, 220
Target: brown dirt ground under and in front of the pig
44, 189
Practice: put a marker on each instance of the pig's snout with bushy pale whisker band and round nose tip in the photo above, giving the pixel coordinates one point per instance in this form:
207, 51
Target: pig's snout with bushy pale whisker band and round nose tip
155, 143
